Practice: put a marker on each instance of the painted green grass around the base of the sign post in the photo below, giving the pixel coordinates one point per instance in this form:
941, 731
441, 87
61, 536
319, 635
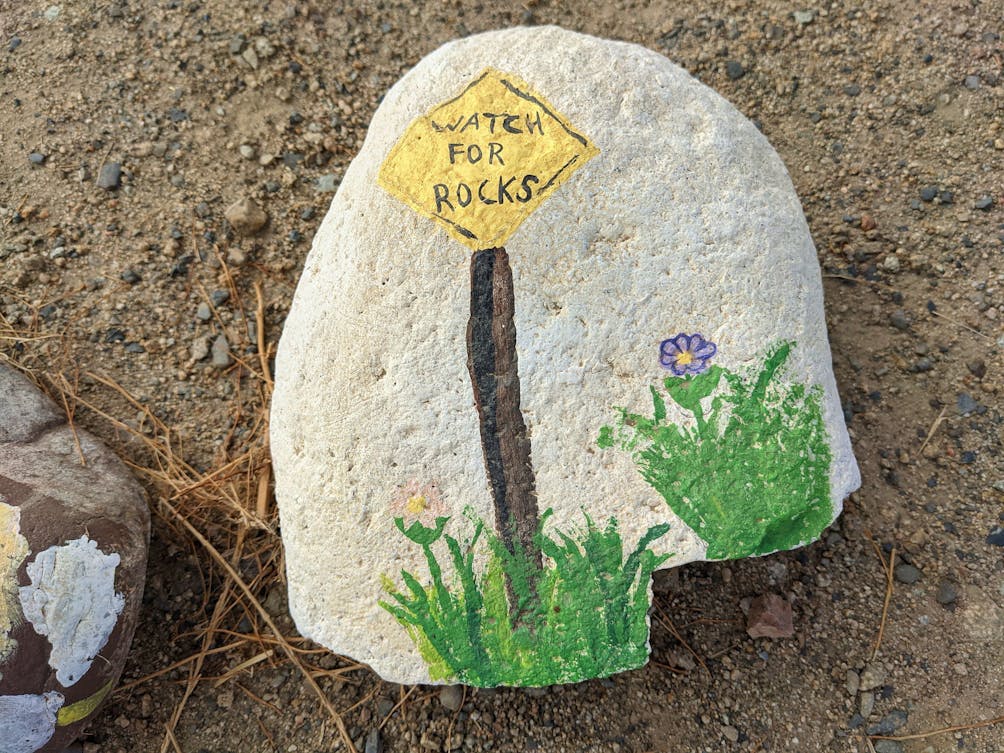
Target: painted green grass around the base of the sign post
584, 617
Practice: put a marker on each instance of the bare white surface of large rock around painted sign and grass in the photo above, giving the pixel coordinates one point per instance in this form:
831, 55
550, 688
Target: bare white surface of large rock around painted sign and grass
686, 221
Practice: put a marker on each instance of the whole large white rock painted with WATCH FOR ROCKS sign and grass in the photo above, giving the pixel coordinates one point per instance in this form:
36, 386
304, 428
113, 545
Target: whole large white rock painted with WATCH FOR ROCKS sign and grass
562, 327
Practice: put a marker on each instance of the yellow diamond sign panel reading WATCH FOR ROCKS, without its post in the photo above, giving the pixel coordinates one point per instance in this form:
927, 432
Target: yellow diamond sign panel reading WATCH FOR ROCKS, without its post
481, 163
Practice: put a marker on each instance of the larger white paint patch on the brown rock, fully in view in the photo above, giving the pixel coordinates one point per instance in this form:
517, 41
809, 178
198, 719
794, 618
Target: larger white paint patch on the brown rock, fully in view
73, 601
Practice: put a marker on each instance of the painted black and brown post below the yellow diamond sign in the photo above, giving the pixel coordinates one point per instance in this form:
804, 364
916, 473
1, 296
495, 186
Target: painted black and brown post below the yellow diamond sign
491, 347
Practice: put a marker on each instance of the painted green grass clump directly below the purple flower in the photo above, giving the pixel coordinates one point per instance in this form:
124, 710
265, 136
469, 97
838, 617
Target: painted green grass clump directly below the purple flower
752, 475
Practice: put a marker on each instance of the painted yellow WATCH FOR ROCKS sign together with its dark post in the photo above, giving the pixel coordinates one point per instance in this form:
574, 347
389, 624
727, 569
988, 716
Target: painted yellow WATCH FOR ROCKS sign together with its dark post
479, 165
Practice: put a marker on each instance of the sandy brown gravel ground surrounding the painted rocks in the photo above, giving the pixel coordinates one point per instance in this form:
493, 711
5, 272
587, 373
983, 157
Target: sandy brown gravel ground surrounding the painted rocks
129, 128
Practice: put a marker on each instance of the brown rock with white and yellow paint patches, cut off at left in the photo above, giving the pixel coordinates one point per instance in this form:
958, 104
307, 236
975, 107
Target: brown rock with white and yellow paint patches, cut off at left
74, 541
